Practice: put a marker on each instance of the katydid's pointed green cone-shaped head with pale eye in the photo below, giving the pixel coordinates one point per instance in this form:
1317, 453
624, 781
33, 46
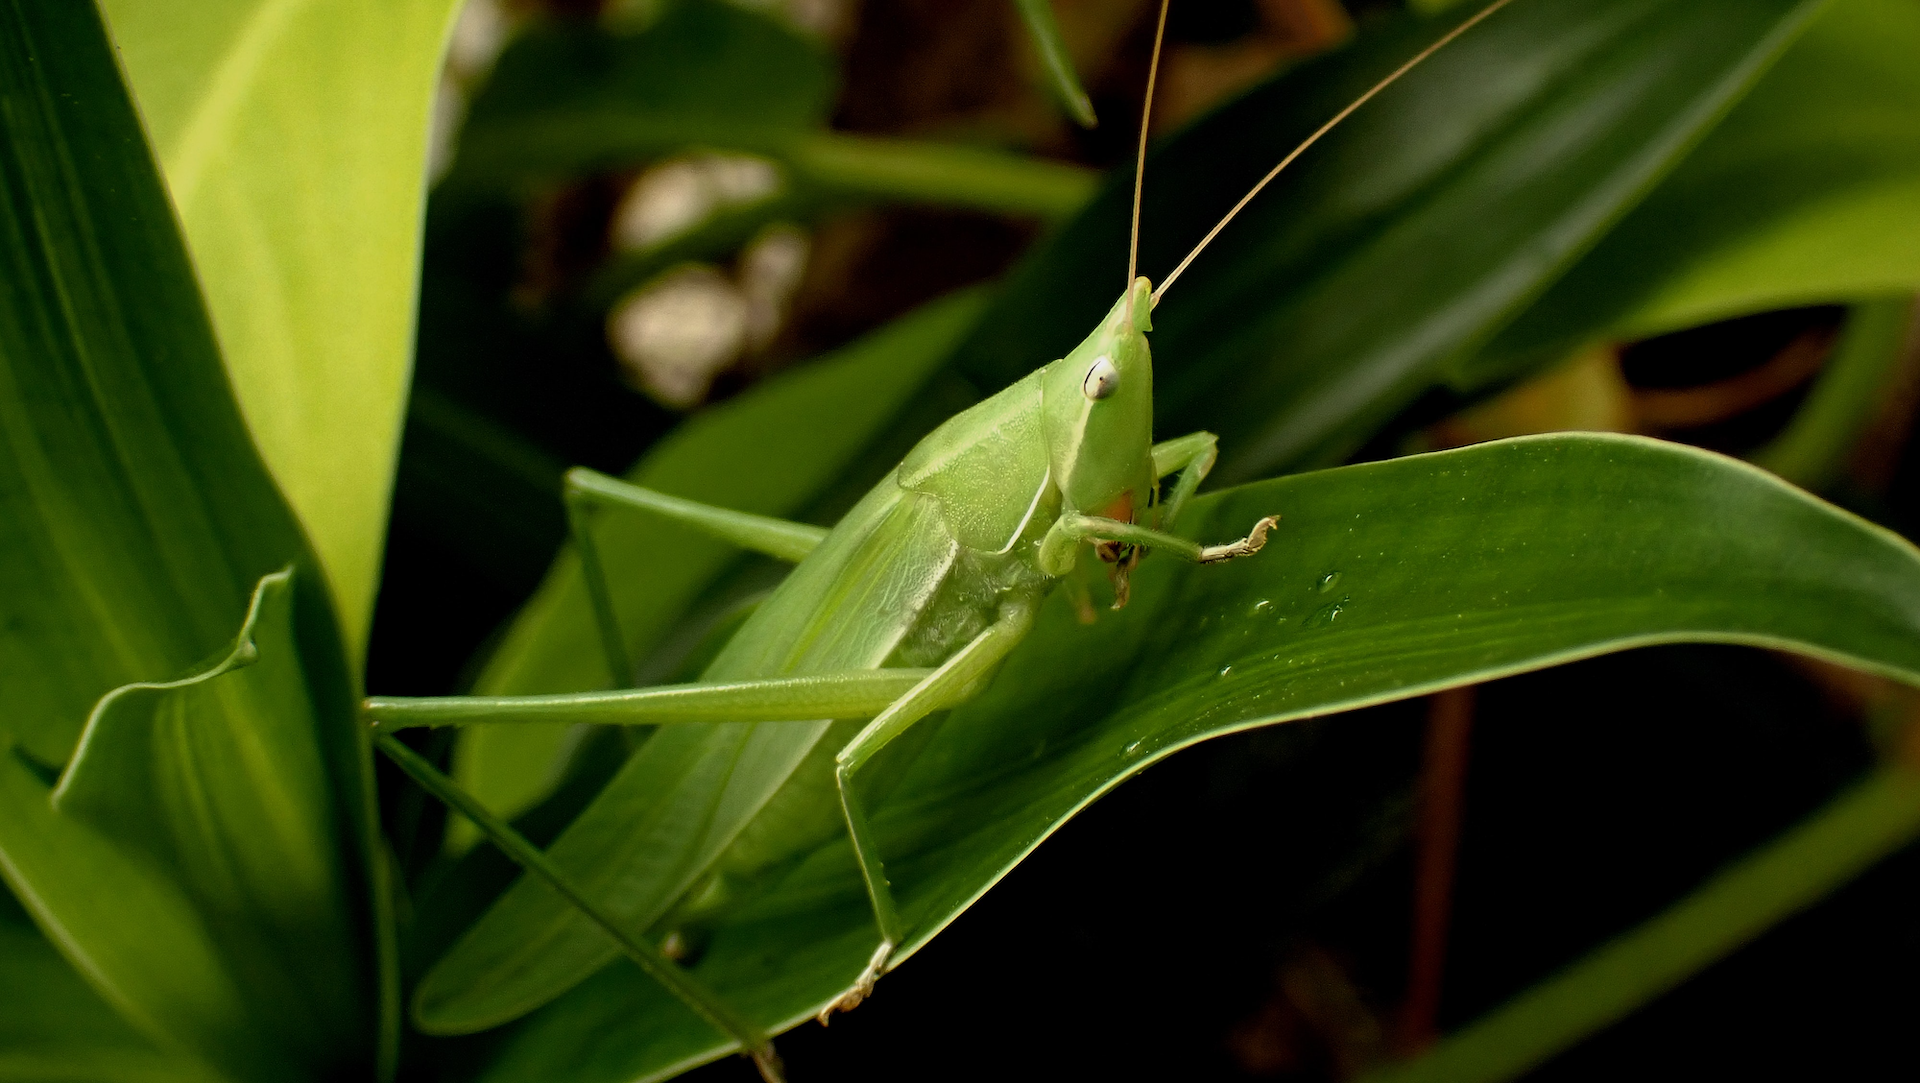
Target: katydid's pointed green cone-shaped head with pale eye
1099, 414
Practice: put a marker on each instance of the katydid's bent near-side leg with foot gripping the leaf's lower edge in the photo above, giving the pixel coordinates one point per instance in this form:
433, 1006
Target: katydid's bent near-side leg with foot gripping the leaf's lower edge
942, 688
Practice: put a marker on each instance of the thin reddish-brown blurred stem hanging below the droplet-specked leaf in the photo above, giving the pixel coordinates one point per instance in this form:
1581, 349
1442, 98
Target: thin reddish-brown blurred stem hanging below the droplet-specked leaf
1443, 792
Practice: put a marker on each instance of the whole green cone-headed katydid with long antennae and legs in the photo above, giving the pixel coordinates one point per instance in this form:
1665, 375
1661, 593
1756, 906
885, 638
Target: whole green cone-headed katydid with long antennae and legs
903, 610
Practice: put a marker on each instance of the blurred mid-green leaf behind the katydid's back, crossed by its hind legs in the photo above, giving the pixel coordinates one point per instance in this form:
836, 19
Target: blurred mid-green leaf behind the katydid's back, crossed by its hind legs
771, 452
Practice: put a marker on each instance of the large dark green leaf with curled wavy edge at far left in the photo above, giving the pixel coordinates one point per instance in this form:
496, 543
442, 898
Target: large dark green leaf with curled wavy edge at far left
135, 521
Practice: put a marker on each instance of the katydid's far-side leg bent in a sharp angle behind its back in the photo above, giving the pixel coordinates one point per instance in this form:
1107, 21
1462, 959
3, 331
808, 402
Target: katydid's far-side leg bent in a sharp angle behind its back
590, 493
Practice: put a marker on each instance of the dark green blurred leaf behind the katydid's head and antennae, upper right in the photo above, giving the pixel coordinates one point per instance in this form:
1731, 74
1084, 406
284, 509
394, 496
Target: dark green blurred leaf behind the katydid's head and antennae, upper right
1404, 239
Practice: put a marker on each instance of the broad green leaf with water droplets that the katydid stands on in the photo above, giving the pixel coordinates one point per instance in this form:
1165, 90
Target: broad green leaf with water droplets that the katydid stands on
1385, 581
